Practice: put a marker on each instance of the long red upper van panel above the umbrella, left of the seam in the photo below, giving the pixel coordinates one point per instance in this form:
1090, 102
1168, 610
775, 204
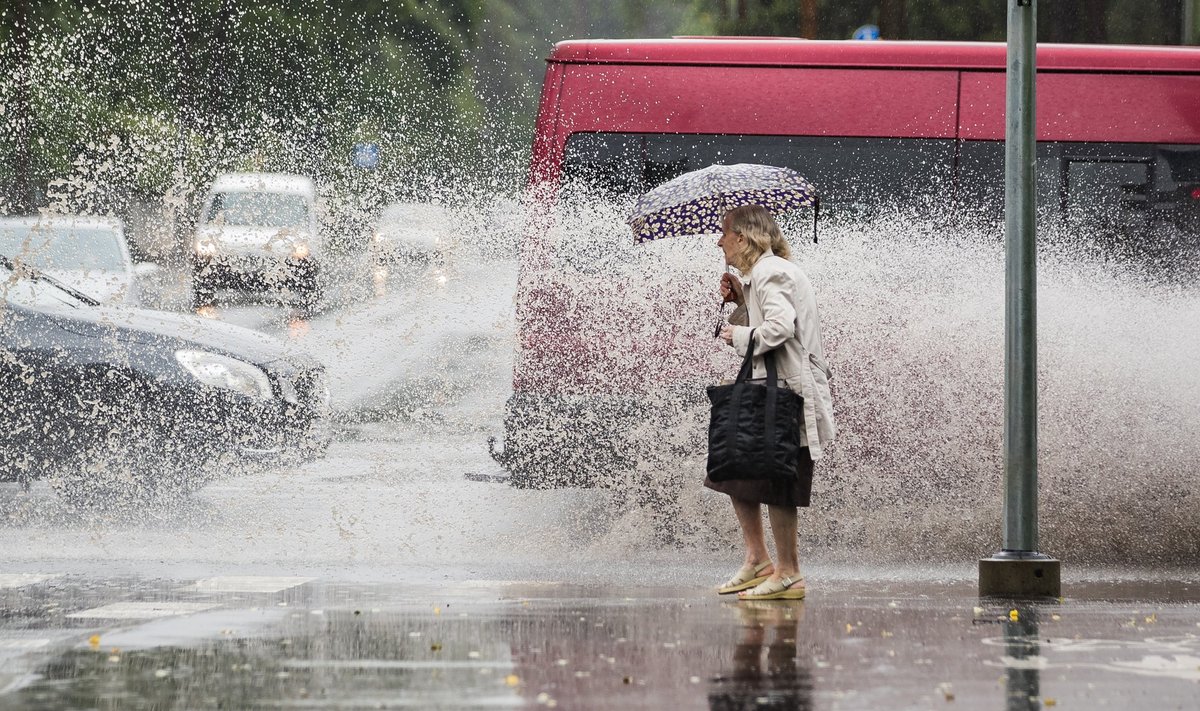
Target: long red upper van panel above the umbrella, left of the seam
766, 101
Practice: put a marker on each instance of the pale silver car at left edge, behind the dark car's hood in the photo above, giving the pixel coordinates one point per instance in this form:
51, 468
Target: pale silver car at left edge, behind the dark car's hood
89, 254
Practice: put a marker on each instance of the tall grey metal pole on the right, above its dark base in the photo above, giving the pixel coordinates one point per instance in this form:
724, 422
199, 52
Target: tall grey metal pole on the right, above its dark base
1021, 284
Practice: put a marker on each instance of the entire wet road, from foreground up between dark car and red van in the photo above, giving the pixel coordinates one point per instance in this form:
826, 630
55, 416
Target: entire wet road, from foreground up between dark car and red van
382, 578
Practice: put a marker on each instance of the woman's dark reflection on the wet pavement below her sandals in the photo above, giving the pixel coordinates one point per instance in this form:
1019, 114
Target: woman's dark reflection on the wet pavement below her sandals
766, 672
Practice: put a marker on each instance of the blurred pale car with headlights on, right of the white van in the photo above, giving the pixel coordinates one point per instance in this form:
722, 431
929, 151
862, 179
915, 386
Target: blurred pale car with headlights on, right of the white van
412, 235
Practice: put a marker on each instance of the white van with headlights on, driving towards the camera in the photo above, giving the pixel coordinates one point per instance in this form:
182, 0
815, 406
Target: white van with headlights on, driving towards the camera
260, 231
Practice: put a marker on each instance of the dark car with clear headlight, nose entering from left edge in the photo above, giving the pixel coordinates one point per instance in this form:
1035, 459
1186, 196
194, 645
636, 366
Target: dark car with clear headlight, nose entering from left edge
115, 402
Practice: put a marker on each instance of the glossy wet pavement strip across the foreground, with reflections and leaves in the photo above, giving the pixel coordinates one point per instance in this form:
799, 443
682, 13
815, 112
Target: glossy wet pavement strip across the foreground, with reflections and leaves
242, 642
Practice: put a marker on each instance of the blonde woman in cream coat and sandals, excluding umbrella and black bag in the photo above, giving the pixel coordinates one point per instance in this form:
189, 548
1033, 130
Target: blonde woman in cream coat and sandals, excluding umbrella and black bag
779, 306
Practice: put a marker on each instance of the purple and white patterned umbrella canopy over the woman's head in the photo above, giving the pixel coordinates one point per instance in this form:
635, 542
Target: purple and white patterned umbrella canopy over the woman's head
695, 204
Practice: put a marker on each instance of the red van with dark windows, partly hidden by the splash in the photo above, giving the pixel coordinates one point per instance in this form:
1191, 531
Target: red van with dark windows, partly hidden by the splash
872, 126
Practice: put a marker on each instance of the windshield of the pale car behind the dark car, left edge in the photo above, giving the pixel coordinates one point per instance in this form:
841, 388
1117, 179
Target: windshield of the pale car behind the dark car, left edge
55, 248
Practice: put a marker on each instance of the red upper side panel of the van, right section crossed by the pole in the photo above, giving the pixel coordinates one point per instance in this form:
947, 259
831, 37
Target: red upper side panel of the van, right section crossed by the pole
1107, 109
